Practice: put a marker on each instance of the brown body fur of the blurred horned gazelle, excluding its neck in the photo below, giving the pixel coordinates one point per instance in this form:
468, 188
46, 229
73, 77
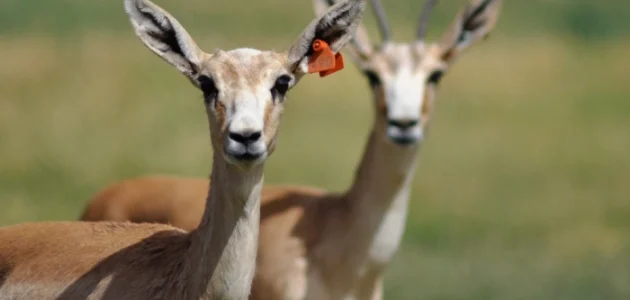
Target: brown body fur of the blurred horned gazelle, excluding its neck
291, 218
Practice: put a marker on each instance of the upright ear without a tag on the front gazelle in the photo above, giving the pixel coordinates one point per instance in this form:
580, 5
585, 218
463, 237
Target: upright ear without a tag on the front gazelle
163, 34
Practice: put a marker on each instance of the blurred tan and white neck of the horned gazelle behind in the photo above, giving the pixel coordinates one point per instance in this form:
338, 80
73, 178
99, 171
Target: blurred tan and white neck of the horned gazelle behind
378, 199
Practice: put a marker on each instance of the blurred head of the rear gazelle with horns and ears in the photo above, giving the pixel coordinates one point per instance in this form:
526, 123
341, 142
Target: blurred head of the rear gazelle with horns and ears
404, 76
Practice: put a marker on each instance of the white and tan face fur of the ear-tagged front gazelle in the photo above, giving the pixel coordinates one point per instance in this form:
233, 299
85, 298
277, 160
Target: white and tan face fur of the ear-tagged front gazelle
244, 78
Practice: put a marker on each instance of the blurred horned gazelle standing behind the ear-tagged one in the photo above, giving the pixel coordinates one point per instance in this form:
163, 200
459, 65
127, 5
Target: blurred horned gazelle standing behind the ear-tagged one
318, 245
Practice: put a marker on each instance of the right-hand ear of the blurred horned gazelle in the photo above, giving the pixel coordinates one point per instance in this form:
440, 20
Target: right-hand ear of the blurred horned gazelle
472, 24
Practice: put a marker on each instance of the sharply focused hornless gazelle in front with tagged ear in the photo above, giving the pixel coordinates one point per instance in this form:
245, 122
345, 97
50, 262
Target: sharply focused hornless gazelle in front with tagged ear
244, 92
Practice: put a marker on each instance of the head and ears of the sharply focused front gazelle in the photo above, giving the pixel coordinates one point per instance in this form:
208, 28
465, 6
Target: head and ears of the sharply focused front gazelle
243, 89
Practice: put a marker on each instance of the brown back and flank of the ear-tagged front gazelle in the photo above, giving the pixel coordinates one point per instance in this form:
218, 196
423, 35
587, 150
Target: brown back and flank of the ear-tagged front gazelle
102, 267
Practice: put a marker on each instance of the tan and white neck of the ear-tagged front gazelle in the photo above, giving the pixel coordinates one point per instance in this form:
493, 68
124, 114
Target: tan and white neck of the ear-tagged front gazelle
223, 248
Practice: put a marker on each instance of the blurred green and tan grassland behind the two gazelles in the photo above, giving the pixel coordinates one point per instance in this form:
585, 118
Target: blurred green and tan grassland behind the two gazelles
523, 185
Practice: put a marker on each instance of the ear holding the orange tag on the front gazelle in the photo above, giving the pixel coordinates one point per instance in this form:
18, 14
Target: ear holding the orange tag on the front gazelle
335, 27
